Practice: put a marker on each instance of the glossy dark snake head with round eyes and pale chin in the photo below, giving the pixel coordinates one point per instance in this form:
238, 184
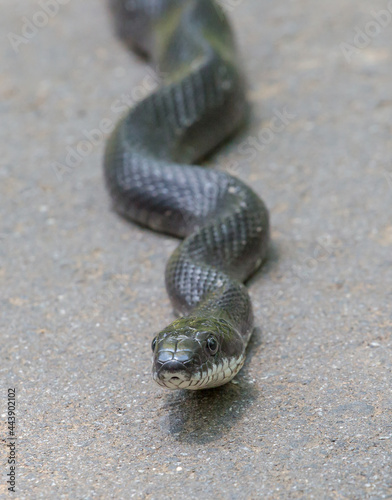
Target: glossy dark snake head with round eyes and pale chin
197, 353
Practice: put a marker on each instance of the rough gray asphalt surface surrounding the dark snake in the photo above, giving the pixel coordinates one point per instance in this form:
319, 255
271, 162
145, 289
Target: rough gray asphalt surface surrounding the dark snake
310, 415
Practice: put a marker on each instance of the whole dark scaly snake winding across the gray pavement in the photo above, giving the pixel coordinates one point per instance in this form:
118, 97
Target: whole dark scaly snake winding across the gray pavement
153, 169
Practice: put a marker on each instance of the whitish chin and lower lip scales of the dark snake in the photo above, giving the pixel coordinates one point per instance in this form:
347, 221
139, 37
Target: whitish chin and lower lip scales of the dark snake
214, 376
